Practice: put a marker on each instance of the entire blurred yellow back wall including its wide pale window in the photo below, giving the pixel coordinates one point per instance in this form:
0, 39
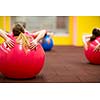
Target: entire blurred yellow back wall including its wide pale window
68, 30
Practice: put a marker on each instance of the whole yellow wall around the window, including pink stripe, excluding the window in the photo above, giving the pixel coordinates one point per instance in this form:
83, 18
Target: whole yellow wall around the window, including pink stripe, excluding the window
78, 25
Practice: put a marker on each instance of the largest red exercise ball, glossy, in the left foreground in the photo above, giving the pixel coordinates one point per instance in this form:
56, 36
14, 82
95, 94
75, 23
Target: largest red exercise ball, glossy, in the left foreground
18, 64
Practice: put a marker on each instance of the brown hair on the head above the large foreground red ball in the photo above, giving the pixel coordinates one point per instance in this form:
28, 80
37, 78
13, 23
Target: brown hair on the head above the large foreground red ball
17, 29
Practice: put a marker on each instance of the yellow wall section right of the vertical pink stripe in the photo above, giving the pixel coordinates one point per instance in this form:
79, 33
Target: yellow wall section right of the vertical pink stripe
85, 24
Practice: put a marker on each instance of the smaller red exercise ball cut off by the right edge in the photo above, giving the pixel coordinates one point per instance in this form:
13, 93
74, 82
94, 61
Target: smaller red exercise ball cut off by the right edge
93, 56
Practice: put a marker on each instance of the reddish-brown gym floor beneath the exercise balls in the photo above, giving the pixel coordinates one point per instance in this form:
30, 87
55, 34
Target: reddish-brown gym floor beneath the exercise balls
64, 64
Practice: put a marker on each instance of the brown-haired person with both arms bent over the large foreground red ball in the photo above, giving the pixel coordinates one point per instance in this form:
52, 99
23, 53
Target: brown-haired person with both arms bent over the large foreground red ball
19, 33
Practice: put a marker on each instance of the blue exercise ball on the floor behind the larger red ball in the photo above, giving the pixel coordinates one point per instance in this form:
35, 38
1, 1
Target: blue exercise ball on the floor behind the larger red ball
47, 43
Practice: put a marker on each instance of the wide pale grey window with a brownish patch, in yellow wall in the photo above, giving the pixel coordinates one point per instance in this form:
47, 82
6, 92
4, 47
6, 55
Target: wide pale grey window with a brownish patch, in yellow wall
56, 24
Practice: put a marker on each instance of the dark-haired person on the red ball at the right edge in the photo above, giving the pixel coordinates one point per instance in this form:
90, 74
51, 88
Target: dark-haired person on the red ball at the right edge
88, 38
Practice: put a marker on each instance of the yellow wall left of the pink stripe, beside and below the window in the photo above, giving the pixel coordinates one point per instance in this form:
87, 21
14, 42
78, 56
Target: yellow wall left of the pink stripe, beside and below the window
58, 40
